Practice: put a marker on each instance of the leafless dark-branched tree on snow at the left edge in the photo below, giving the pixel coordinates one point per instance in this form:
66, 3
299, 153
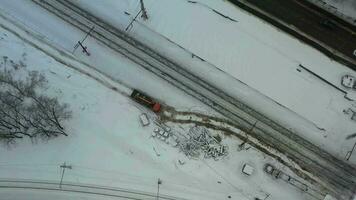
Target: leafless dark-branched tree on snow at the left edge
24, 111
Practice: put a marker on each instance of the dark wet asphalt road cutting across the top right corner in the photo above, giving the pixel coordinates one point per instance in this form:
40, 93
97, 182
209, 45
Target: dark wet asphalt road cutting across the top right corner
302, 20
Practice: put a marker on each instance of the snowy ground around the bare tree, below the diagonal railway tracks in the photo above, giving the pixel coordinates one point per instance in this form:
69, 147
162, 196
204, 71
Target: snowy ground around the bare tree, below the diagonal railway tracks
107, 145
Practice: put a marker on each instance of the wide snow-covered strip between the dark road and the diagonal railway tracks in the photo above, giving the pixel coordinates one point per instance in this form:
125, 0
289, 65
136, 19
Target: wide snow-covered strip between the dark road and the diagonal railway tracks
249, 52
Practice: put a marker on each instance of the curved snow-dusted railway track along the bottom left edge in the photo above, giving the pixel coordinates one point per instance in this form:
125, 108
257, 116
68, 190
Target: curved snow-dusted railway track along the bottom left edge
89, 189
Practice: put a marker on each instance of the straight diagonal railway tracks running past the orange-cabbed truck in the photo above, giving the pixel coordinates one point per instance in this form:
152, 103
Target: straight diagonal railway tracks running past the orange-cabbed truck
337, 176
